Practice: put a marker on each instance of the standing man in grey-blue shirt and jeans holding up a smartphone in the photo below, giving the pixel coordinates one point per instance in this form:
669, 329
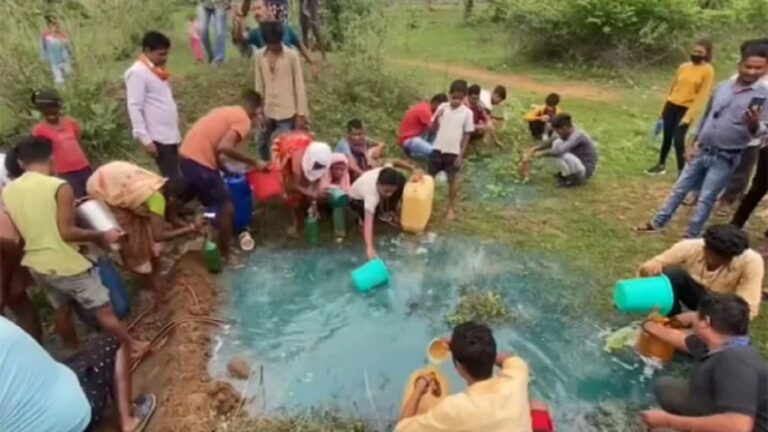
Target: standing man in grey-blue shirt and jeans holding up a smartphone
734, 117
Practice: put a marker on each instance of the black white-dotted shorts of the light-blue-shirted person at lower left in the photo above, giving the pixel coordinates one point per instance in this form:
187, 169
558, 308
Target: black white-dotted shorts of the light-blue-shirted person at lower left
94, 366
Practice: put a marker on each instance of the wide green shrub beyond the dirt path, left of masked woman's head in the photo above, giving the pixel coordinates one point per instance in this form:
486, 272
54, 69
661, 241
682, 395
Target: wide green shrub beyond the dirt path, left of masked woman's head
606, 31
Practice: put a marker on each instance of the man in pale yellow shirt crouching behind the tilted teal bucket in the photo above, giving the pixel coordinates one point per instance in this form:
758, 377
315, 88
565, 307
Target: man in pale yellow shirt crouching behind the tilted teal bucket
721, 262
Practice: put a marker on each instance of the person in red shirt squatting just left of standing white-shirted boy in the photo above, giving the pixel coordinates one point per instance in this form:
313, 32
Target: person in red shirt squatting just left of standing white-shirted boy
414, 128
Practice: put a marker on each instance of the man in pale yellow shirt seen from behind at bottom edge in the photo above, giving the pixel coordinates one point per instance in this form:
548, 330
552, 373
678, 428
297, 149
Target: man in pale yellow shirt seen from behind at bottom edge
489, 404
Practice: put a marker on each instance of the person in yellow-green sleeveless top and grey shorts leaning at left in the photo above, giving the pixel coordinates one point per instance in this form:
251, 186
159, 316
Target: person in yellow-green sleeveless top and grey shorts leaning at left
42, 208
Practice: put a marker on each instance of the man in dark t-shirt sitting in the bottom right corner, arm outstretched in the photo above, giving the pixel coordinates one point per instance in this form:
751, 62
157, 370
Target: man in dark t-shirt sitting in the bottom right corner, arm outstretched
727, 390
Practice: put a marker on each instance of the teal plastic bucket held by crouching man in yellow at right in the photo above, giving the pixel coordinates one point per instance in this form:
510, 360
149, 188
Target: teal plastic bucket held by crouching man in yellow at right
644, 295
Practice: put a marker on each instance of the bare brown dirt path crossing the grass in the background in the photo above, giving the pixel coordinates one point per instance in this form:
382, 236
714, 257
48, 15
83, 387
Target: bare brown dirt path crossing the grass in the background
570, 89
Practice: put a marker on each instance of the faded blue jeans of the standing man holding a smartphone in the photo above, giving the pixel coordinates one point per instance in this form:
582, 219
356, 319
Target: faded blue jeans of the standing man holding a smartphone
710, 172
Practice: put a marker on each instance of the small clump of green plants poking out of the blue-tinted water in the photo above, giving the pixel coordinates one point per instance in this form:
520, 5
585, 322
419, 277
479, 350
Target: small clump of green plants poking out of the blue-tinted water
480, 306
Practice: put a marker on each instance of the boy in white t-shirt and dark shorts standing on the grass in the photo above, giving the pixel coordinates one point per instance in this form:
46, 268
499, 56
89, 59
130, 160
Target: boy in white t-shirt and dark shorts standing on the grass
454, 124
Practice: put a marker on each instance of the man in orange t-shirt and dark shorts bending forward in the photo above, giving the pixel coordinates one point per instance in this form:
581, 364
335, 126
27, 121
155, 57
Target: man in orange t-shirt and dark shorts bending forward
218, 134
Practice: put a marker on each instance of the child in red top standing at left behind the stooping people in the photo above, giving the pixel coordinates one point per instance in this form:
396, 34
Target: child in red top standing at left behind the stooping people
69, 160
